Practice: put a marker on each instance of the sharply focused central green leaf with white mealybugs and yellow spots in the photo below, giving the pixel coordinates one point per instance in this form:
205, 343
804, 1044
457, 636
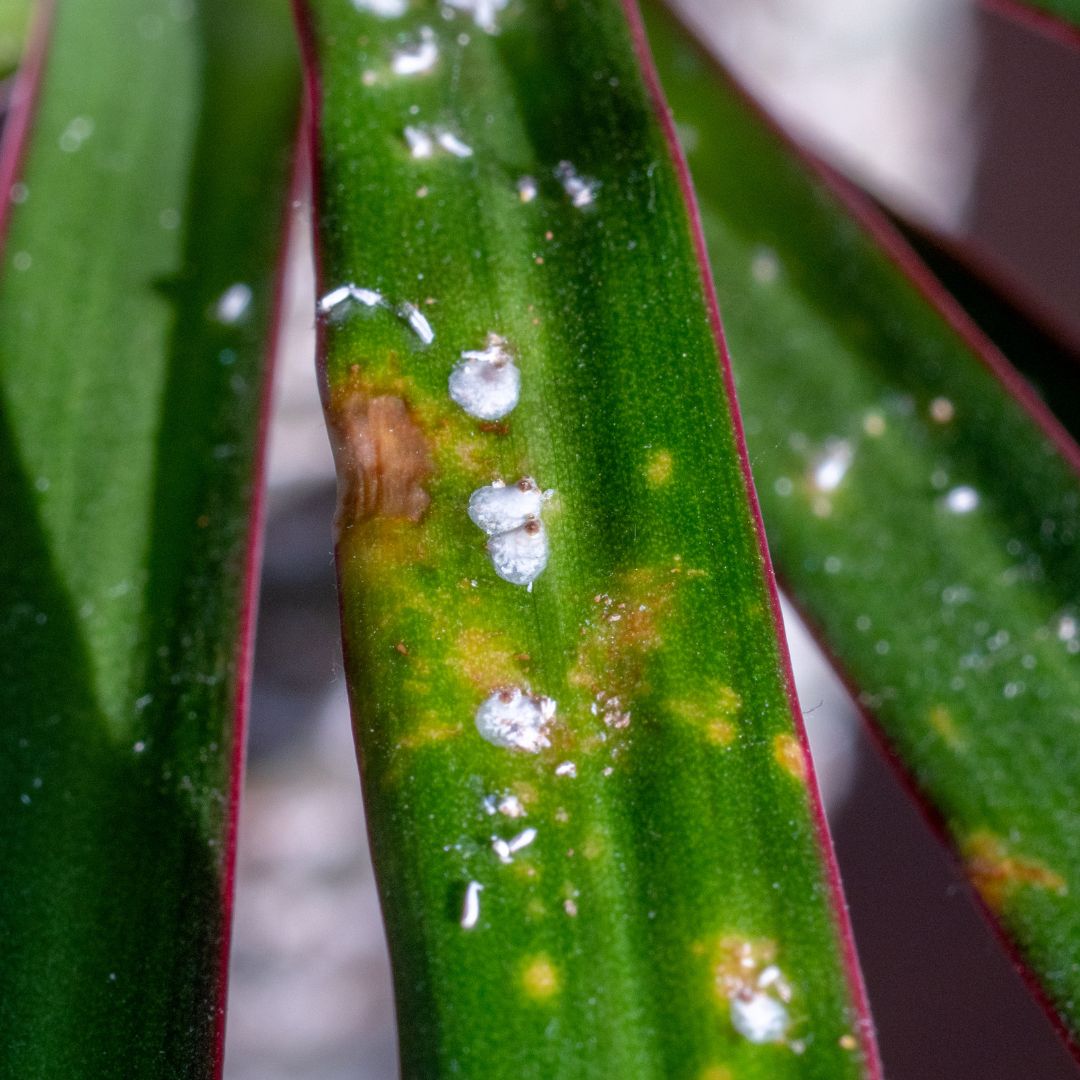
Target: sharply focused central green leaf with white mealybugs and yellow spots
610, 892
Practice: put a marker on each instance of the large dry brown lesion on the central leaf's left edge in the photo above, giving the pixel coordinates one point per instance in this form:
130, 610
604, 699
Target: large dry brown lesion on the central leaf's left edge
381, 452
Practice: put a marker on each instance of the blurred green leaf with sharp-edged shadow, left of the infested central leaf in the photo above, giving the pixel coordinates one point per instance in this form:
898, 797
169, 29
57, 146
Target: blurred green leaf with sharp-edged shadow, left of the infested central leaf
131, 385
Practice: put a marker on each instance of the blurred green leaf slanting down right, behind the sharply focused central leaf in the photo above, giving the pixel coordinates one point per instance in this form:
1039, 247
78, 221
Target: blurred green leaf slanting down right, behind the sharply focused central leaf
916, 510
